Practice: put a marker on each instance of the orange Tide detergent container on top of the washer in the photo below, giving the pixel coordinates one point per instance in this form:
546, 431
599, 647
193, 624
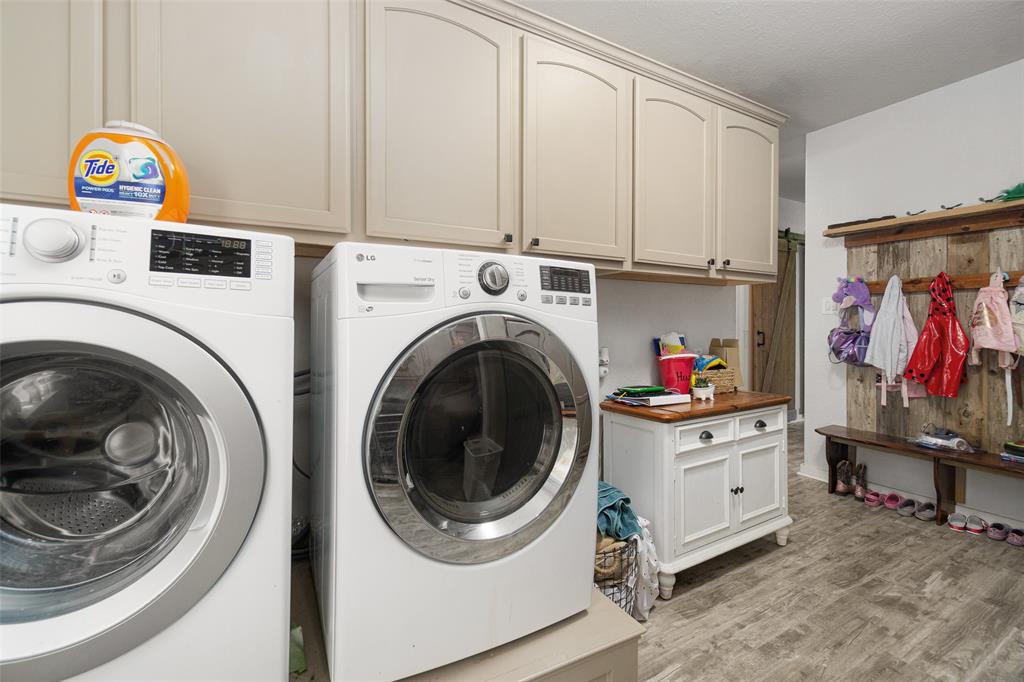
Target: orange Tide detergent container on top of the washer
126, 169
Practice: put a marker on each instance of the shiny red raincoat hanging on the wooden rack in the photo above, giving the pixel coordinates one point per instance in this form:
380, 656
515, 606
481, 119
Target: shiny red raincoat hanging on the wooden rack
940, 360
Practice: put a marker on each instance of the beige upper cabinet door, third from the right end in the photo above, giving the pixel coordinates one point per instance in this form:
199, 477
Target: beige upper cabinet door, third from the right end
578, 133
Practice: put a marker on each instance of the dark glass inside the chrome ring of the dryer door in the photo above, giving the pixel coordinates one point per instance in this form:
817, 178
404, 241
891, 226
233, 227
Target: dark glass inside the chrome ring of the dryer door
483, 435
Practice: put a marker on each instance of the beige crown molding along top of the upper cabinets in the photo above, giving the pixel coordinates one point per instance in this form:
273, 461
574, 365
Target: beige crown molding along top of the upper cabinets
538, 24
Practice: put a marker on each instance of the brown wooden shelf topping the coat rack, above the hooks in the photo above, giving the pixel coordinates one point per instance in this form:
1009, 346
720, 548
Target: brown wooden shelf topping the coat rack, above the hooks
979, 219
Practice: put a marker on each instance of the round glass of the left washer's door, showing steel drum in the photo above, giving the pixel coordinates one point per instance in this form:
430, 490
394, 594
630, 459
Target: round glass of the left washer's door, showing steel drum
103, 467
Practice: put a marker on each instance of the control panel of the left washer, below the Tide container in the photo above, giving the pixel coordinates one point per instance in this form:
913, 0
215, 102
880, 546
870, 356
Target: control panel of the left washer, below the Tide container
215, 268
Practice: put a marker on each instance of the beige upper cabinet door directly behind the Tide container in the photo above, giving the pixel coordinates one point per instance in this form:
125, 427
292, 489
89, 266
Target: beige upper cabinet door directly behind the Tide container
254, 98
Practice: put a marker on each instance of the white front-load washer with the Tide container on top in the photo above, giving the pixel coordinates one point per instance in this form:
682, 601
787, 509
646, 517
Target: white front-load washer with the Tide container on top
146, 397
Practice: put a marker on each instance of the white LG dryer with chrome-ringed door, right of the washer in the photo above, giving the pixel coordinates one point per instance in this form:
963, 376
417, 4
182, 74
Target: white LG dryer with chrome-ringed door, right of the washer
455, 486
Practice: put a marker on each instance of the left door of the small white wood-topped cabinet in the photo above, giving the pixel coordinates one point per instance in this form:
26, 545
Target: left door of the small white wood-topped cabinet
704, 503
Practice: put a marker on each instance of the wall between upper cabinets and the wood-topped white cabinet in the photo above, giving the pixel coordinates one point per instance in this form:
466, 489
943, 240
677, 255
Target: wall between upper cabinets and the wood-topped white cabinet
631, 314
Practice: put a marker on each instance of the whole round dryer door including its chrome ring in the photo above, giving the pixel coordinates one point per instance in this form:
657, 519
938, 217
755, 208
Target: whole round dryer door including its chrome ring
479, 438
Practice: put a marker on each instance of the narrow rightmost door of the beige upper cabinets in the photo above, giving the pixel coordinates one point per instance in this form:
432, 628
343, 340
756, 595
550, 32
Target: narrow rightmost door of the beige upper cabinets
748, 193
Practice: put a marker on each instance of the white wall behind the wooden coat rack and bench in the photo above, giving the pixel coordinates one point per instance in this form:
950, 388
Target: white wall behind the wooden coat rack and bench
953, 145
